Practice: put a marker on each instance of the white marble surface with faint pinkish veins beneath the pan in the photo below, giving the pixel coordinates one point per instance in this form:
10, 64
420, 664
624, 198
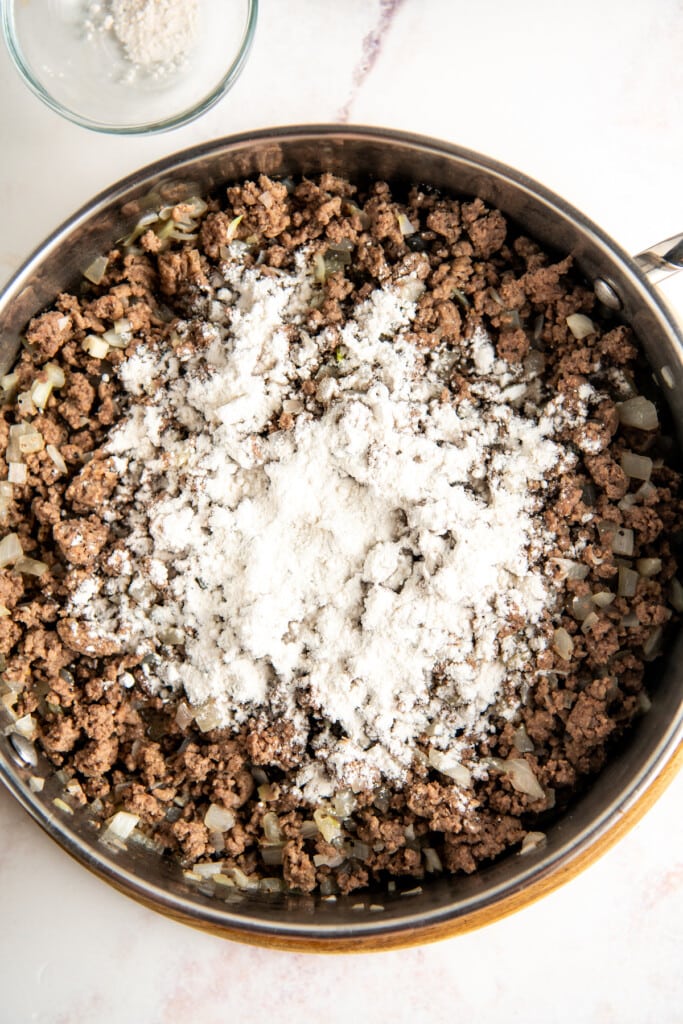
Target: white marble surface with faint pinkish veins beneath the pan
585, 98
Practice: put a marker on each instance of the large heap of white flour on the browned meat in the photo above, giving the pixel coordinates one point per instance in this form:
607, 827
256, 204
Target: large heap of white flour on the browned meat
369, 557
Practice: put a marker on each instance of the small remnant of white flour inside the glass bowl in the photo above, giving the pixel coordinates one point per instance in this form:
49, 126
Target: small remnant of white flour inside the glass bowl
155, 35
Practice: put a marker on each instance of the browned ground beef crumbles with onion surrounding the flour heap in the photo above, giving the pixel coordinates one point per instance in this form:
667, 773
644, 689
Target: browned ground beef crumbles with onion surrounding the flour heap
126, 749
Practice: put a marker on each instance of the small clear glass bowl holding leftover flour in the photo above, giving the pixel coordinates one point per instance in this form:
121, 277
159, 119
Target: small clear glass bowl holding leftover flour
70, 56
